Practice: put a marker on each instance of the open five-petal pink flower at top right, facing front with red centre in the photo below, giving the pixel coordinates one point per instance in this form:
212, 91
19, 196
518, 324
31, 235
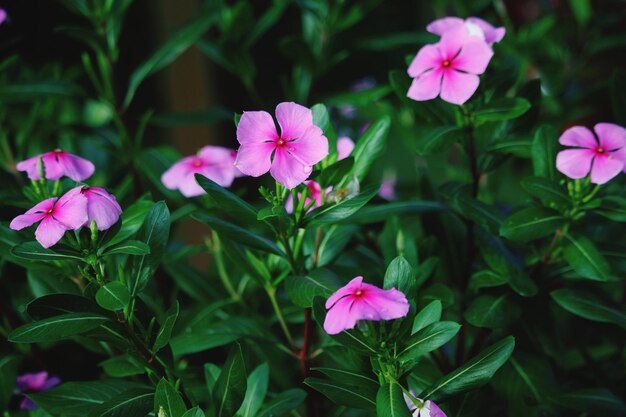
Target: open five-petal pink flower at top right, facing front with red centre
449, 68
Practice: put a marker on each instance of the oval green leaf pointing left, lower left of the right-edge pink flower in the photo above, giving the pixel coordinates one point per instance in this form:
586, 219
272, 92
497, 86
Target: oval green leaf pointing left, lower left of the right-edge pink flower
531, 223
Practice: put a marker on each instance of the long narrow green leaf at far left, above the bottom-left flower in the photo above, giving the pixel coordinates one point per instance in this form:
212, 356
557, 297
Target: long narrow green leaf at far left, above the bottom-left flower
56, 328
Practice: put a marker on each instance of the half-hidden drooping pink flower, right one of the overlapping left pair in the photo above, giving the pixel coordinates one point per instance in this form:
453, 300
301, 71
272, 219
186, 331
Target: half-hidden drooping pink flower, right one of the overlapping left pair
102, 207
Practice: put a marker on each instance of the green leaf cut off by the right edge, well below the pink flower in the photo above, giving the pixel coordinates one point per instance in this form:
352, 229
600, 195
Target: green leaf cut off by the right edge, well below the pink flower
588, 306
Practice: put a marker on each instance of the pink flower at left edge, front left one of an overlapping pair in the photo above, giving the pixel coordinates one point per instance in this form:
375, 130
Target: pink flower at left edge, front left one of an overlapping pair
56, 215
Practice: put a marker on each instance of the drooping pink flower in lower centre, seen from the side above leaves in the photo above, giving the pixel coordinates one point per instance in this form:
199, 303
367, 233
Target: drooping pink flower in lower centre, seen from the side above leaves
359, 301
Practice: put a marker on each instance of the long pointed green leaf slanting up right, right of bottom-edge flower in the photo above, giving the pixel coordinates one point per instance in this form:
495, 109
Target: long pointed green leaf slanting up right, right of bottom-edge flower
475, 373
